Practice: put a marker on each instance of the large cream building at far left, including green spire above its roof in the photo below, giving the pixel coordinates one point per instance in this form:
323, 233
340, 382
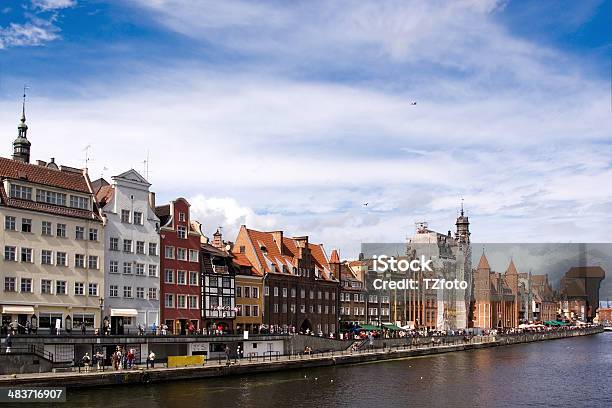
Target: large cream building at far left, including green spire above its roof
52, 238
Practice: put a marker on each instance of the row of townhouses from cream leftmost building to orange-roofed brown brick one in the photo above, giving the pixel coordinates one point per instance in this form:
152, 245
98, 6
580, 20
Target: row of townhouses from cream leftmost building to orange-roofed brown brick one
98, 254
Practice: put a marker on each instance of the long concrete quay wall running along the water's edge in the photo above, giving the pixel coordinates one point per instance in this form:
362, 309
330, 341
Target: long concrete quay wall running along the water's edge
214, 369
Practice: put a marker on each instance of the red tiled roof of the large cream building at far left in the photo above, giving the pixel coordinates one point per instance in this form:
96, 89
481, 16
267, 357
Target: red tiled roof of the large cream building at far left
33, 173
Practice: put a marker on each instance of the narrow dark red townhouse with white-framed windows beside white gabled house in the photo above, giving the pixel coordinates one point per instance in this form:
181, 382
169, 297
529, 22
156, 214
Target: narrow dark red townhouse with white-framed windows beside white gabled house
180, 267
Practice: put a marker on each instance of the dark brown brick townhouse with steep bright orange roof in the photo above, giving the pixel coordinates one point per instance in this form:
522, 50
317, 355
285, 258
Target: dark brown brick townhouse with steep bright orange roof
301, 293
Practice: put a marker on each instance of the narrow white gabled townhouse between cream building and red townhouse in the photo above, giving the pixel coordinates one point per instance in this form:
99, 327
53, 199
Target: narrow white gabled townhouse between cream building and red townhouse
131, 293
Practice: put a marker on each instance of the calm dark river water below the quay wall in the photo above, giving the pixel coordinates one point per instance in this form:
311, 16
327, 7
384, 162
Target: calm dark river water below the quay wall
560, 373
